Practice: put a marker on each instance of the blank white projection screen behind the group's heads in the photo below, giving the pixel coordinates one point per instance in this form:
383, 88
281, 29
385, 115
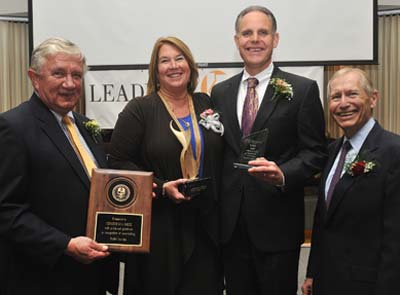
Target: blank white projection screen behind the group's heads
123, 32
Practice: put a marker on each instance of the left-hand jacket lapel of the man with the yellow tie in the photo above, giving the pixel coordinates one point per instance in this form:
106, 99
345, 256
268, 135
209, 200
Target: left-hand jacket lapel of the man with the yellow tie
52, 129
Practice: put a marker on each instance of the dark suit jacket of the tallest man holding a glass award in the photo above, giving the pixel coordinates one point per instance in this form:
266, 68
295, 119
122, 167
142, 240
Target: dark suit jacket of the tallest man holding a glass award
296, 142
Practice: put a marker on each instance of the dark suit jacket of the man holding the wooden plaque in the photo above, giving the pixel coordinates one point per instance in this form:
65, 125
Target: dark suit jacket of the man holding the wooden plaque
43, 203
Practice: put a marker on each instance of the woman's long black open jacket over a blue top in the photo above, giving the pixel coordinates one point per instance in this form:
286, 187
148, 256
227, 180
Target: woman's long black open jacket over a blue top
142, 140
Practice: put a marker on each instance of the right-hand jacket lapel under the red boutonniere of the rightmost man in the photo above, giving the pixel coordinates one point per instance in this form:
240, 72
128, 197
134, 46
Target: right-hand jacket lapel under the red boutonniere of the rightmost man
368, 148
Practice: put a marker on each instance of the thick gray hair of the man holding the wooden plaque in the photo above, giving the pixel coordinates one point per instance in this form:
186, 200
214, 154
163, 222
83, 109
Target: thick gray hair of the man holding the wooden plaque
53, 46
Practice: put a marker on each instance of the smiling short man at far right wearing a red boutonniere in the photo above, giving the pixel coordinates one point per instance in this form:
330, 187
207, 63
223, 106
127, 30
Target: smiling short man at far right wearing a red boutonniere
356, 235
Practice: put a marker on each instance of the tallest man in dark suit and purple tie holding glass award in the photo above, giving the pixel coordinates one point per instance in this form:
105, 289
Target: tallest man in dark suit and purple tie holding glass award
262, 209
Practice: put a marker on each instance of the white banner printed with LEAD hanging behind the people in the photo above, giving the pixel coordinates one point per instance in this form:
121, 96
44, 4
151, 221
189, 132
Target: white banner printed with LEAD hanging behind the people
107, 92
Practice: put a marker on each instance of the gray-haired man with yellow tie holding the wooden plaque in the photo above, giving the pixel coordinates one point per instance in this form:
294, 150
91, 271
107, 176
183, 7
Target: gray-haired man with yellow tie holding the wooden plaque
44, 183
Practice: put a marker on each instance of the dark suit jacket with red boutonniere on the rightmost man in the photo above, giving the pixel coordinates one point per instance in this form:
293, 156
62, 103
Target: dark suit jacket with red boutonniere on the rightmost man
356, 242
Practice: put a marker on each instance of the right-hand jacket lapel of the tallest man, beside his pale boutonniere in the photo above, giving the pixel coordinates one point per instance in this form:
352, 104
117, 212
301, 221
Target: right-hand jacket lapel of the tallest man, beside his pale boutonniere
268, 105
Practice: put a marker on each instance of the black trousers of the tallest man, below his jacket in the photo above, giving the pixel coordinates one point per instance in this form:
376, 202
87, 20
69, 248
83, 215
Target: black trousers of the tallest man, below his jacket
249, 271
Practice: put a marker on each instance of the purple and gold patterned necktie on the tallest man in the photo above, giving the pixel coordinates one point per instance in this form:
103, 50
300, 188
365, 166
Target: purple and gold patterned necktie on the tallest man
250, 106
